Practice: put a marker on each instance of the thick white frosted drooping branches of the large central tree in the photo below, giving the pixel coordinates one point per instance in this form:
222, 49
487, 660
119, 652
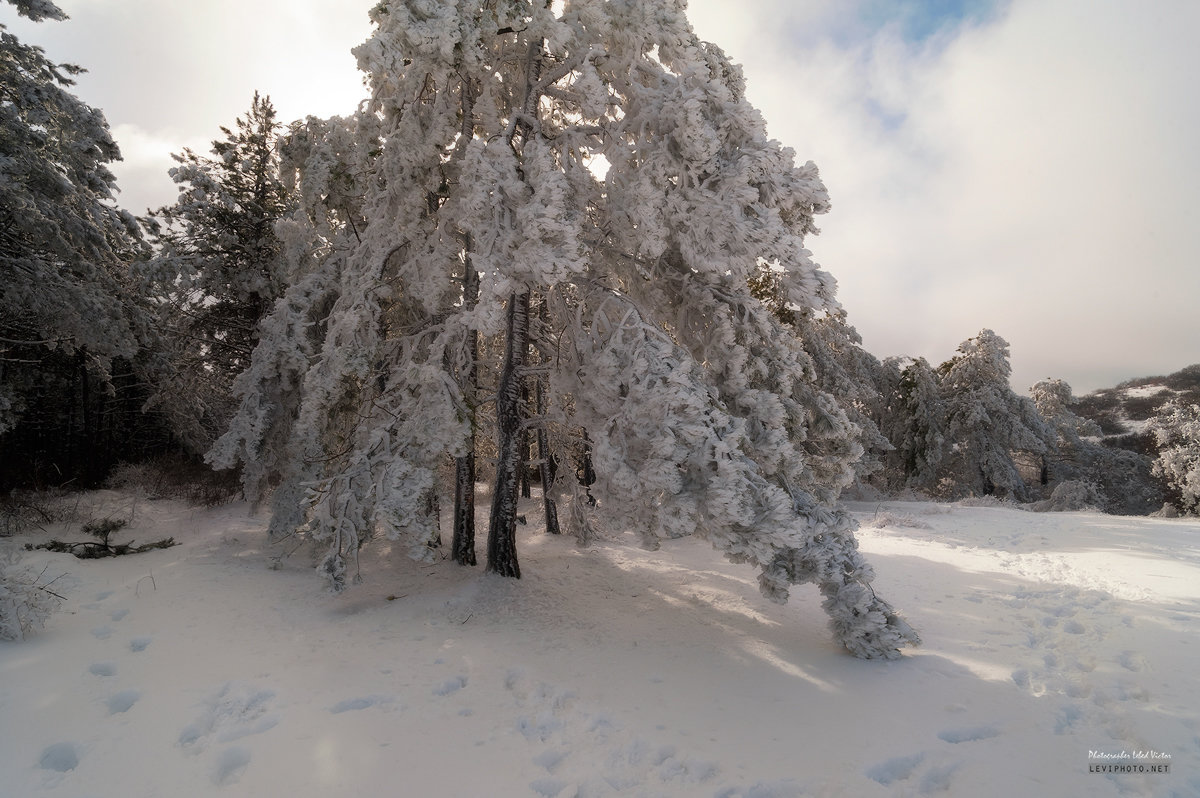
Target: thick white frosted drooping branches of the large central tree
598, 163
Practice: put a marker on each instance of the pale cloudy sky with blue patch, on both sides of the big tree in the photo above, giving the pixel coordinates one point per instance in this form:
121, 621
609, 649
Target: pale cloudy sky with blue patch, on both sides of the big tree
1033, 167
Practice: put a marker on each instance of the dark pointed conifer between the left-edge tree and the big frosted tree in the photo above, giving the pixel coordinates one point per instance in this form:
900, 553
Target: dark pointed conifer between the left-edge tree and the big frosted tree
218, 271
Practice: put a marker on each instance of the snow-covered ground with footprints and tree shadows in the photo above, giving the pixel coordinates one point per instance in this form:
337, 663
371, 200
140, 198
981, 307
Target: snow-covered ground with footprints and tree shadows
611, 671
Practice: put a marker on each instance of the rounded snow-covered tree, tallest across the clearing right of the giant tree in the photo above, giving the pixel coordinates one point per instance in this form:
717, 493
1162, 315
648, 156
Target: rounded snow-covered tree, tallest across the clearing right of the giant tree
987, 423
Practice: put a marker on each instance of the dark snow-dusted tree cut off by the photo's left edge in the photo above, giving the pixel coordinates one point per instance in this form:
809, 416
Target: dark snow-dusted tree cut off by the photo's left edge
67, 307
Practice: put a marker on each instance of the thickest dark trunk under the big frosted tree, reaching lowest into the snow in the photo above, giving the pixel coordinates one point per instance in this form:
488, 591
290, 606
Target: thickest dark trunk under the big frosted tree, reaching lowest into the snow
502, 549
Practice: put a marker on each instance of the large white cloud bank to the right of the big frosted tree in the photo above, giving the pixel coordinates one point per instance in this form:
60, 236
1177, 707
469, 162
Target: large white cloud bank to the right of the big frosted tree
1028, 169
